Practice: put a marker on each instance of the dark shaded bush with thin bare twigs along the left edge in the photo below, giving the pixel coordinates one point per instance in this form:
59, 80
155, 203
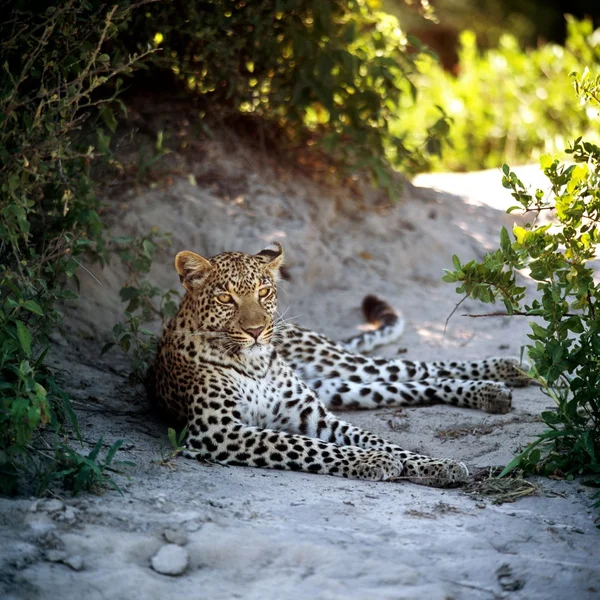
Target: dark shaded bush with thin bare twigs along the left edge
53, 73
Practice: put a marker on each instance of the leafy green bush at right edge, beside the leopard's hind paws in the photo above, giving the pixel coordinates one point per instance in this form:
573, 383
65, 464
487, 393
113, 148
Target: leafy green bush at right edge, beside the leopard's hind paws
565, 346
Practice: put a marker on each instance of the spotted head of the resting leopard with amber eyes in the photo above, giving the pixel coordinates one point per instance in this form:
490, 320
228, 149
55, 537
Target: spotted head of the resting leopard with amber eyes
231, 298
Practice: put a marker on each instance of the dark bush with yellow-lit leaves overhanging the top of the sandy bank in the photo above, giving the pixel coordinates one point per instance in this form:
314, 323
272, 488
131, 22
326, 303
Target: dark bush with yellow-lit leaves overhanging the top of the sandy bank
330, 74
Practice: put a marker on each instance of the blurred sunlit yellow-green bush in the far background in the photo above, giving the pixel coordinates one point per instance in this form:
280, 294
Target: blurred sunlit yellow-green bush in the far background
506, 104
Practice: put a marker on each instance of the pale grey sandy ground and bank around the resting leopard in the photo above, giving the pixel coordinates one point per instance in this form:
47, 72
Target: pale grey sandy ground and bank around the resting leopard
250, 533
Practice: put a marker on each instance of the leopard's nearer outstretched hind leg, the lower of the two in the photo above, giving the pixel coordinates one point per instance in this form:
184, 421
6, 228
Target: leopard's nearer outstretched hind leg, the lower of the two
490, 396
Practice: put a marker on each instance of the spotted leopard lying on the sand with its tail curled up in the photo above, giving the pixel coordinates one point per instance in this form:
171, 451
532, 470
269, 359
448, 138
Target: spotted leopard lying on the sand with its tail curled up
256, 390
